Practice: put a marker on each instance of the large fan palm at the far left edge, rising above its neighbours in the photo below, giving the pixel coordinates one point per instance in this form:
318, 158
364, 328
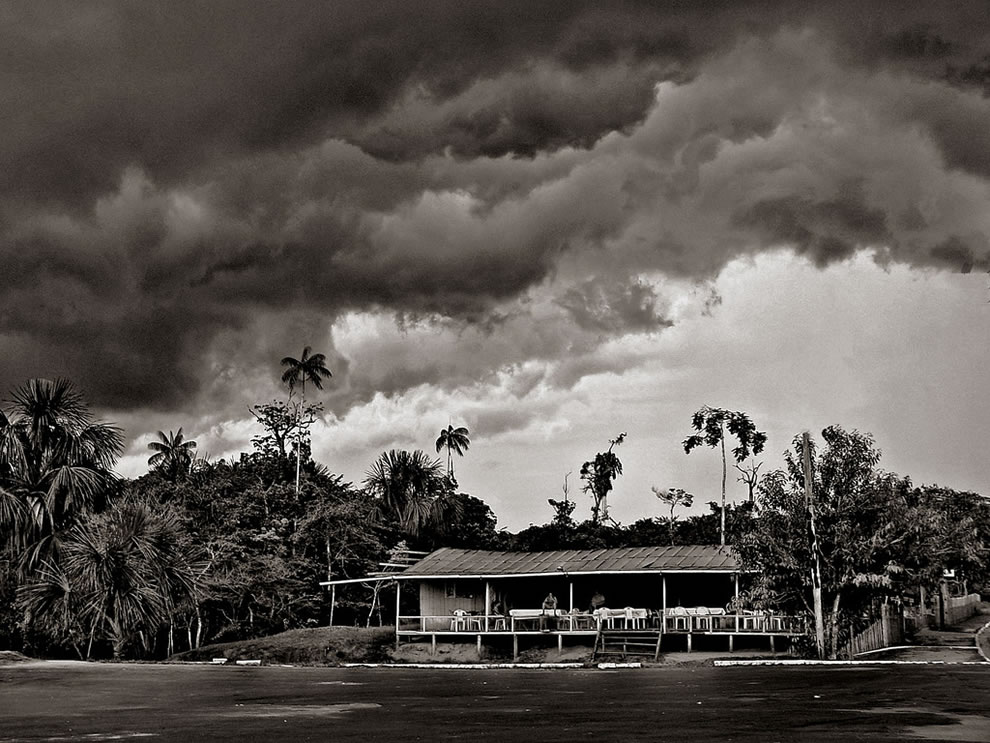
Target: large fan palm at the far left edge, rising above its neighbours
55, 460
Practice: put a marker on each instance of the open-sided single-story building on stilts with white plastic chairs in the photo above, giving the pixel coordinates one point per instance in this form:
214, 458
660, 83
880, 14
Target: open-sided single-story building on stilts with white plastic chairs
651, 592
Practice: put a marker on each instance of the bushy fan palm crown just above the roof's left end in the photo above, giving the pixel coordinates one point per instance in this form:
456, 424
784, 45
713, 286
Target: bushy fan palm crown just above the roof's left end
412, 491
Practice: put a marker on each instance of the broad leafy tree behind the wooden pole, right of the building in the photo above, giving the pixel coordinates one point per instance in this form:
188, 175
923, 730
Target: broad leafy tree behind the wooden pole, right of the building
878, 537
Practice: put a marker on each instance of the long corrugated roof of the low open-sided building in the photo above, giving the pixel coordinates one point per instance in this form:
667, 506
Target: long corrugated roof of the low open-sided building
450, 561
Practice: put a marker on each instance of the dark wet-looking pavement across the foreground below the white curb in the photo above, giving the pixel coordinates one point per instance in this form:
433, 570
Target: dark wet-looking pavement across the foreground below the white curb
92, 702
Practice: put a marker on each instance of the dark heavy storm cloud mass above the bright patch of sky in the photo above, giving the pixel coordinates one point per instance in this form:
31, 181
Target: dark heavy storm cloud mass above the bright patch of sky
178, 181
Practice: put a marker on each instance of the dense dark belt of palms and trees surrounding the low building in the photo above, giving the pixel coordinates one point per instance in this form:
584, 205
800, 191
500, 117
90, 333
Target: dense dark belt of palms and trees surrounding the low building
99, 566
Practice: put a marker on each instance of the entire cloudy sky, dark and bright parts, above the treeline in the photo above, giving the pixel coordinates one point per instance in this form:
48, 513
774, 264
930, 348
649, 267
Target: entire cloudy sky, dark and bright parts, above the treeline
548, 222
